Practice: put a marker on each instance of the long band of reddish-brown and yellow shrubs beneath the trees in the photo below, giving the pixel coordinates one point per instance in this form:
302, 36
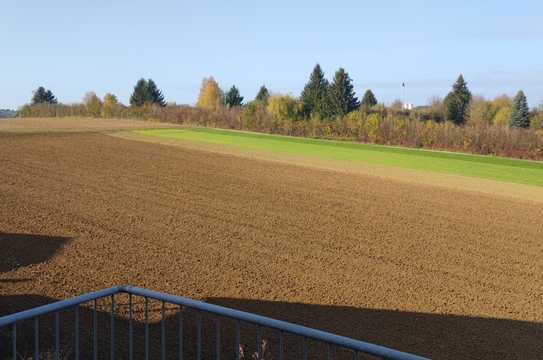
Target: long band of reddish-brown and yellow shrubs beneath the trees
283, 115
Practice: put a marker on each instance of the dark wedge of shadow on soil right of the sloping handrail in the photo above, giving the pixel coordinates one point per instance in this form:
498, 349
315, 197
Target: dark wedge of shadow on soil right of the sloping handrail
436, 336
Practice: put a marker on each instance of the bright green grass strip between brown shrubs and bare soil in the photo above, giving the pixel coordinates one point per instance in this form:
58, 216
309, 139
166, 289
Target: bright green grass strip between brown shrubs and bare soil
486, 167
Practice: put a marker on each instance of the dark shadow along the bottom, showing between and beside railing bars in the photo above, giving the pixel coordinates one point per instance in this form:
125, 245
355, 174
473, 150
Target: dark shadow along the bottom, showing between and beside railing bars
435, 336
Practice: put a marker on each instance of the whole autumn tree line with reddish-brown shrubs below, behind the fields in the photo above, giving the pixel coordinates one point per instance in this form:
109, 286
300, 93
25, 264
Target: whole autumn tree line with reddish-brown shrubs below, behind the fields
331, 109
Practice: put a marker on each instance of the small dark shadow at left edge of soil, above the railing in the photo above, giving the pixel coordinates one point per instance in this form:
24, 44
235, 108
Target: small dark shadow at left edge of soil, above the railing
20, 250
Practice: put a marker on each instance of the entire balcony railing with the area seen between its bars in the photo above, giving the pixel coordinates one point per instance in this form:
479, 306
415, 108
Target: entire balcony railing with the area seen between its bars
130, 322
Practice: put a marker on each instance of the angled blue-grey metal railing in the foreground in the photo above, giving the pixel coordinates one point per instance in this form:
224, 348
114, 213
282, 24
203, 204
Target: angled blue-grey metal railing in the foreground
326, 341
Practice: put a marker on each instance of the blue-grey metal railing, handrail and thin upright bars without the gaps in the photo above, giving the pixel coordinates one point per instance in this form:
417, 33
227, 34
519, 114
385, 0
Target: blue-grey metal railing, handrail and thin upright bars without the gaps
330, 339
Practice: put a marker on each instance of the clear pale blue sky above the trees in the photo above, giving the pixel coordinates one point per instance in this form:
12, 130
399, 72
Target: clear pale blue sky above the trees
75, 46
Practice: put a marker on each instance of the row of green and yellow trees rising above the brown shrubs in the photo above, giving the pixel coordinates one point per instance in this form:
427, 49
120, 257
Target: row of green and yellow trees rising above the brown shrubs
325, 100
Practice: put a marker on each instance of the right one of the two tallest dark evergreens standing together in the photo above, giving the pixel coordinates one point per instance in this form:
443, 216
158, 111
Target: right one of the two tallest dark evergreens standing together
341, 92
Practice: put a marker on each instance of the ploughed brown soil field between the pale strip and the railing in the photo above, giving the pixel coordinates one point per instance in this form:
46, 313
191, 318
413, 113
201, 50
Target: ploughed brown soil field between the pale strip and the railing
434, 271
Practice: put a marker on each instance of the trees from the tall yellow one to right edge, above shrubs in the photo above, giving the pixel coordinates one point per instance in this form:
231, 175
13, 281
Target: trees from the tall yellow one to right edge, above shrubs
328, 100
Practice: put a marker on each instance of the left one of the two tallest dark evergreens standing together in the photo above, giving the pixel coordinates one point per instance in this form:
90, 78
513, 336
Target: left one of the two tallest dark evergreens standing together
315, 94
